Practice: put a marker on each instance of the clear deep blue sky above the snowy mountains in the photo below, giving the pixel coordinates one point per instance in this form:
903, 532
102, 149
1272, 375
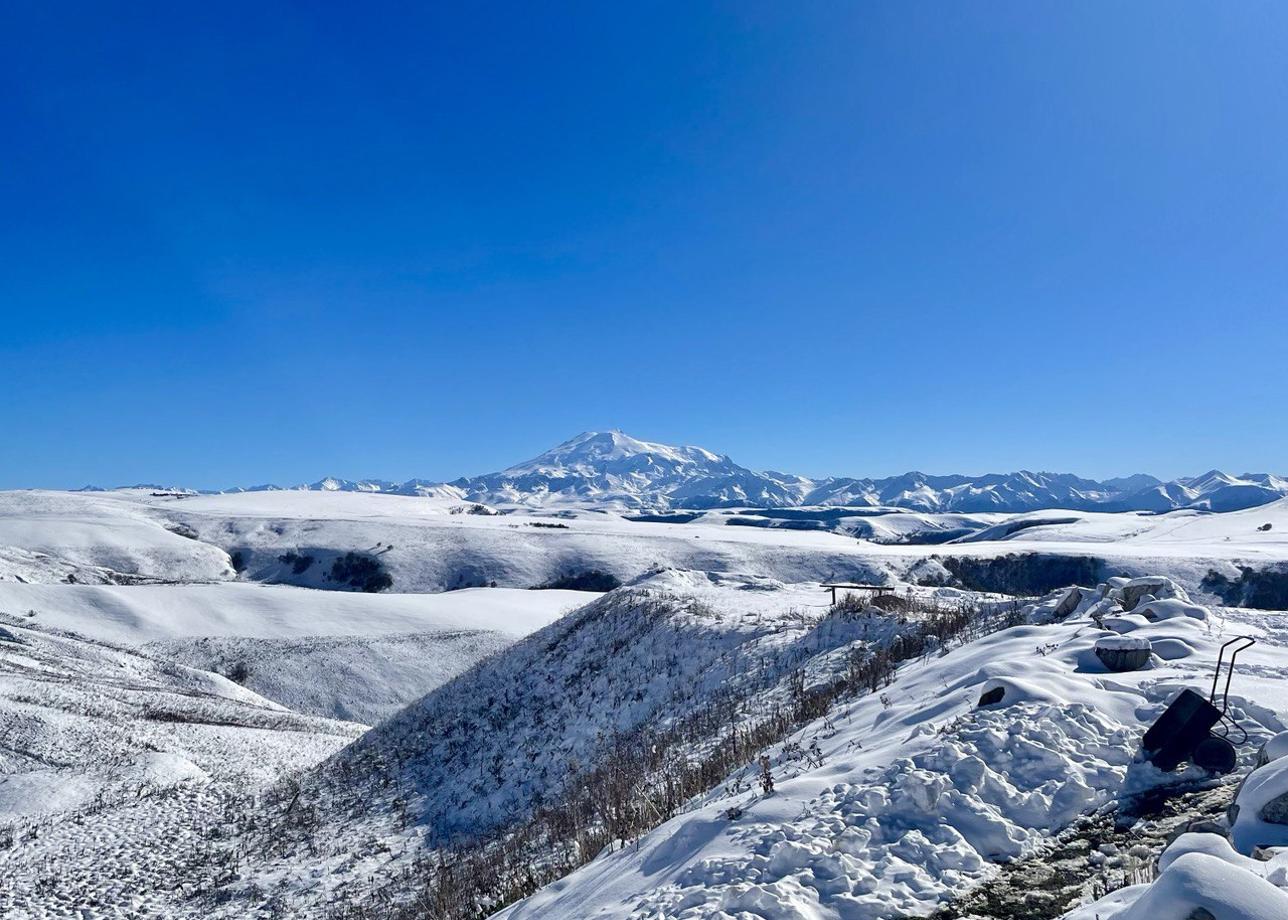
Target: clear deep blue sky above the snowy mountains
276, 242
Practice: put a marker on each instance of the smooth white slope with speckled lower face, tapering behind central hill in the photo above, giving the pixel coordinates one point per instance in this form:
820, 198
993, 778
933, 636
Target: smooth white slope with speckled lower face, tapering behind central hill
351, 656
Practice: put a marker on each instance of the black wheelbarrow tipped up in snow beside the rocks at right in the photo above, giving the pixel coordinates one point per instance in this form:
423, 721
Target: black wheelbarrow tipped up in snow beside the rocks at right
1197, 730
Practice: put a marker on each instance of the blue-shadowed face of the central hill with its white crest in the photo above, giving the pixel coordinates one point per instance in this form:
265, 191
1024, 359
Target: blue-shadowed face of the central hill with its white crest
484, 748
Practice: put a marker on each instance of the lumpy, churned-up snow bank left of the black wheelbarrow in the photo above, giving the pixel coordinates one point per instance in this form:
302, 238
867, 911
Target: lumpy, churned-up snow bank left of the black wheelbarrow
925, 827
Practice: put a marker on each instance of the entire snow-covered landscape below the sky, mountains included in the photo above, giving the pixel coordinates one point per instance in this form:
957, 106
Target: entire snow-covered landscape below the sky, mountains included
610, 684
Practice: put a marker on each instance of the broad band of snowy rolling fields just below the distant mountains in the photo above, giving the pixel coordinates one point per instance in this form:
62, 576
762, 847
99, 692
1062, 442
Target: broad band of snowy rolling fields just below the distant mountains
433, 544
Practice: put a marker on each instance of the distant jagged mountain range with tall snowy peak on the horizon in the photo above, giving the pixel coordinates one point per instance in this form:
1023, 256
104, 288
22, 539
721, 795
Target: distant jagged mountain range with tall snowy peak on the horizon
611, 470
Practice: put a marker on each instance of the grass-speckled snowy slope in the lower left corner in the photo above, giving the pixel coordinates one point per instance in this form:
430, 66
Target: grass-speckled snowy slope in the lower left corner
118, 767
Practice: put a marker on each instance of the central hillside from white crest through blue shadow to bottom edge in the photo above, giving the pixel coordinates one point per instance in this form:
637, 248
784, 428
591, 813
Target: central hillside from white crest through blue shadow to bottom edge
493, 745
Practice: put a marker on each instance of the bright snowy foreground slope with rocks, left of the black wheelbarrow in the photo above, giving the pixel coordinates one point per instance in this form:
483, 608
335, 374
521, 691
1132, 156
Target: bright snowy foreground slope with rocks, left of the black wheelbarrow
916, 793
